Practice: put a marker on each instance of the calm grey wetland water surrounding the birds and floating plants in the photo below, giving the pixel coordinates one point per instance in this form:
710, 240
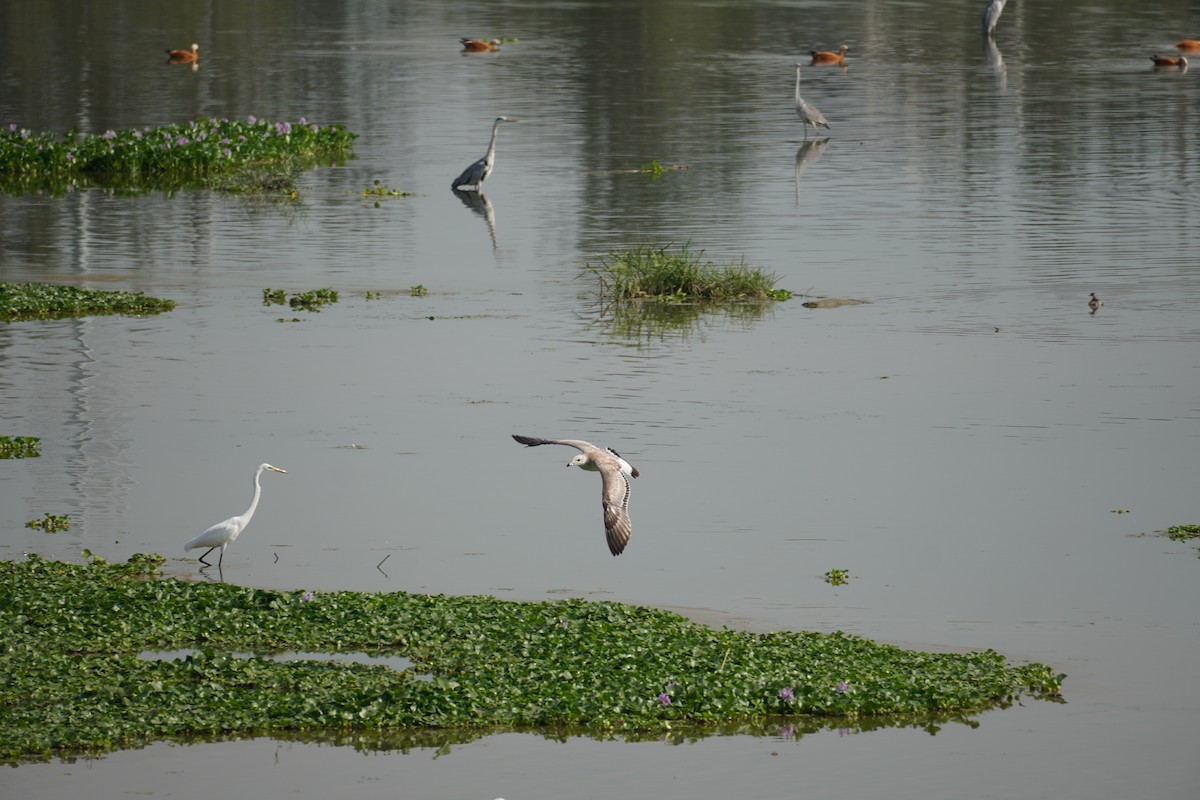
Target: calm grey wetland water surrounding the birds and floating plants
961, 446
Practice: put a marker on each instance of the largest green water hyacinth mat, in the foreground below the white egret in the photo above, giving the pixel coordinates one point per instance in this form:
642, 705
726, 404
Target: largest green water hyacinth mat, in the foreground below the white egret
75, 681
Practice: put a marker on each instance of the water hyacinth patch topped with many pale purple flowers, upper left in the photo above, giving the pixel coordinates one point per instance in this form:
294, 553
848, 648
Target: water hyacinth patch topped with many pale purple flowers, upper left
233, 155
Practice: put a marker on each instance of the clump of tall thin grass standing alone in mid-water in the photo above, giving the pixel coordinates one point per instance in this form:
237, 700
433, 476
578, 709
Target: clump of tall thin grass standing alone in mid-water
681, 275
